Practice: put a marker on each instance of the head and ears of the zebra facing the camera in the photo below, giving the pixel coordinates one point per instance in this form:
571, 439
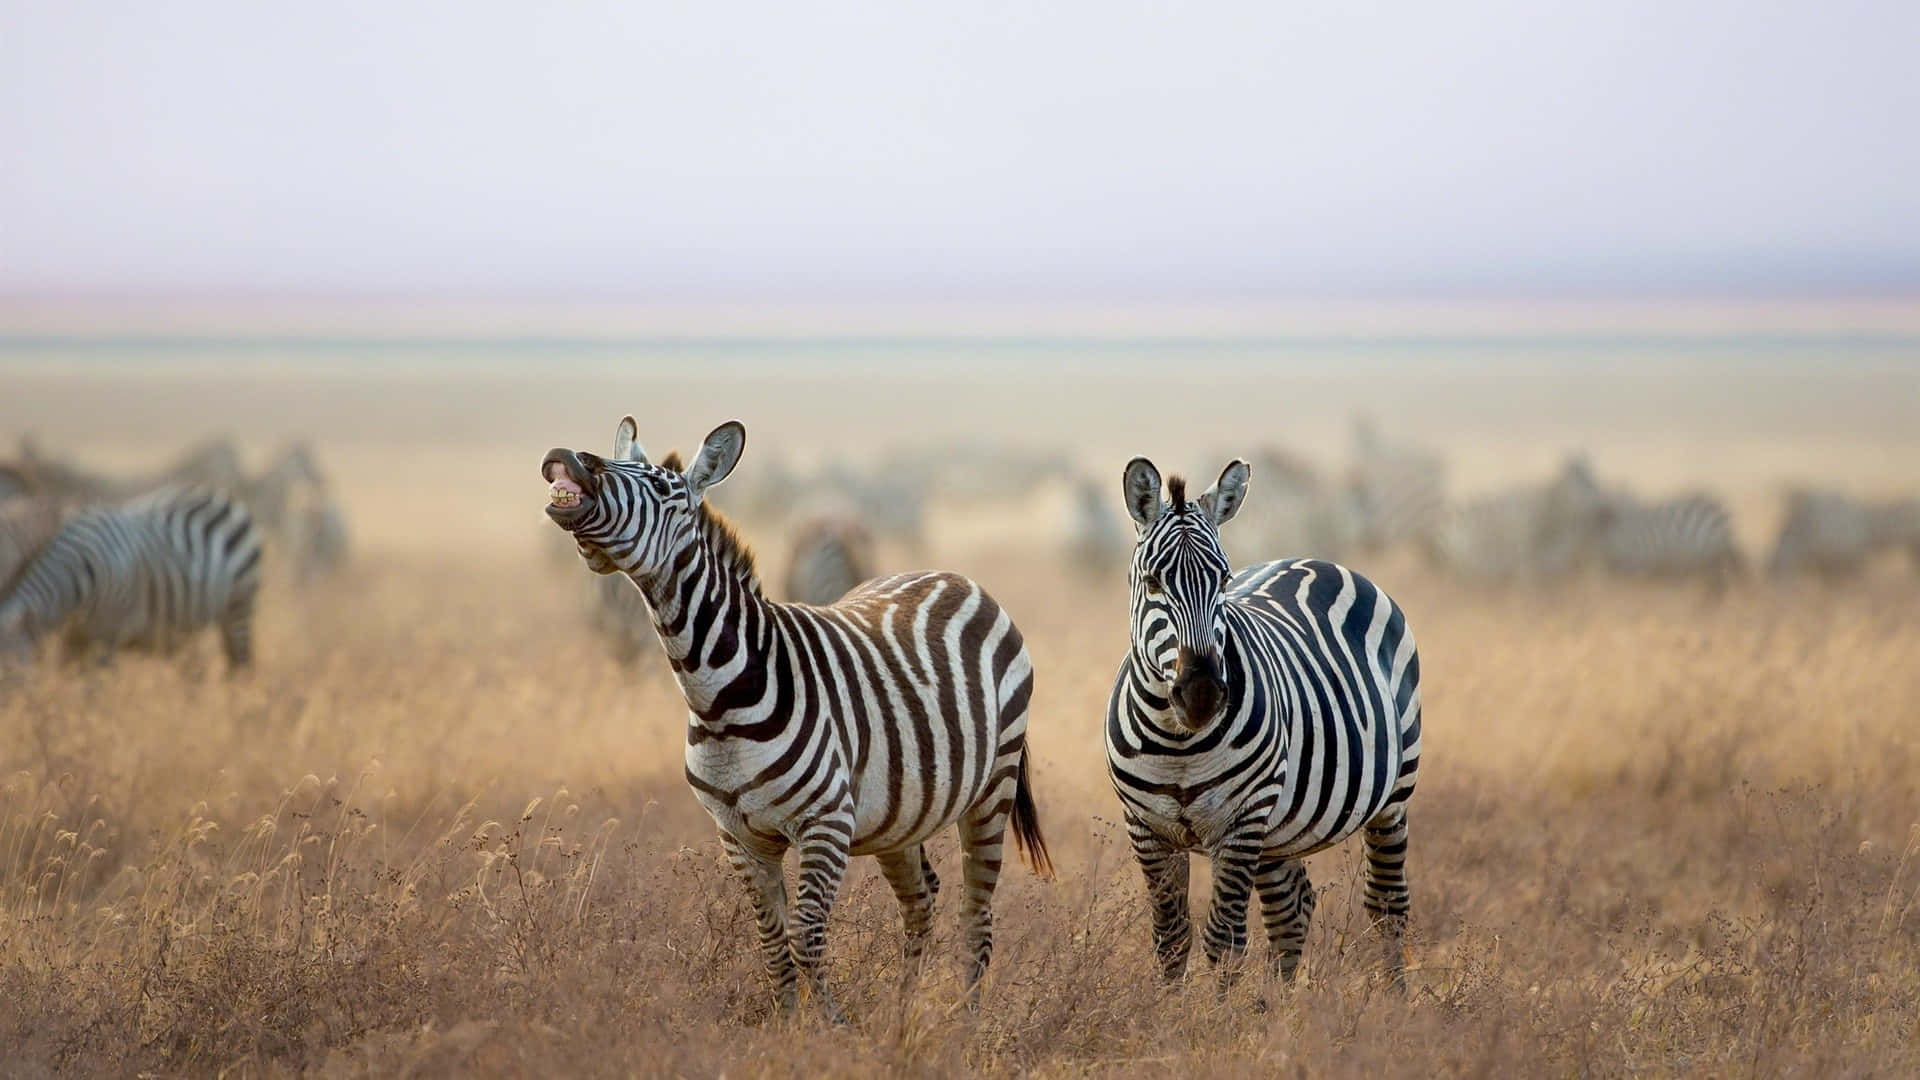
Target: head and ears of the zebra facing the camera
1178, 579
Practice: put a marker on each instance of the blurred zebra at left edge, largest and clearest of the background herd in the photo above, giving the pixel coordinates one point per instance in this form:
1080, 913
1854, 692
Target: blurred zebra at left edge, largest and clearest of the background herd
147, 574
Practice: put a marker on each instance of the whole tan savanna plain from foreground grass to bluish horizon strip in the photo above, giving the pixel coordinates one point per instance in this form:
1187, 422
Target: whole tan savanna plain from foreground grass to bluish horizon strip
441, 831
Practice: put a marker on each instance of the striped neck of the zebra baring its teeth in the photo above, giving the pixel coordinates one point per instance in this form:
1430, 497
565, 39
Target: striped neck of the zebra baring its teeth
713, 626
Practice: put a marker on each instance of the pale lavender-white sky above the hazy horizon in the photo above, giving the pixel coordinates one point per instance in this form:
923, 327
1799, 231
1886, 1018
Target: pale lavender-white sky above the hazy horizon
959, 151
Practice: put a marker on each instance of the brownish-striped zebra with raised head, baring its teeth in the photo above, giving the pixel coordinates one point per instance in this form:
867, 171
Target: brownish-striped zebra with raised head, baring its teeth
855, 729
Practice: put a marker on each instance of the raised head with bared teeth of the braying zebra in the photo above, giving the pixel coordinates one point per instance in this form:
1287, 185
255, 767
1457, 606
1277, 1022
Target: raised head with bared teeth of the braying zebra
629, 514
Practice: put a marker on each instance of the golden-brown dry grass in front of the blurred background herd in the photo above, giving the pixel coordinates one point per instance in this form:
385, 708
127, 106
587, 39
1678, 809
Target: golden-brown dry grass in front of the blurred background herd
439, 833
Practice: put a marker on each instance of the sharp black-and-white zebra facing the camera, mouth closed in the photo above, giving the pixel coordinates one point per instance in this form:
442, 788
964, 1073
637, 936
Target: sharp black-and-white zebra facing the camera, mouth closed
1259, 718
